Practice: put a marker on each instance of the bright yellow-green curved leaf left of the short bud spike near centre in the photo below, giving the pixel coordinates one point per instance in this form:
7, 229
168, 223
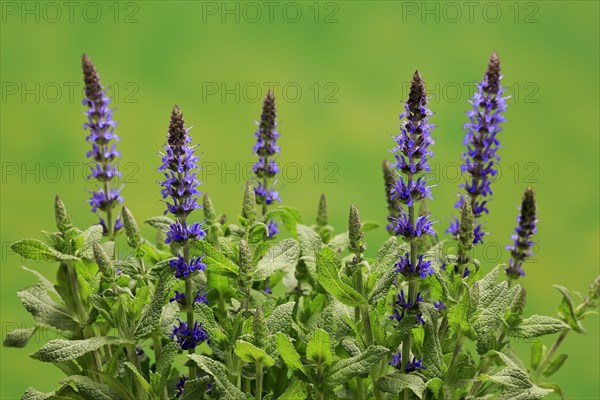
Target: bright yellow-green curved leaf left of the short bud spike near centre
327, 274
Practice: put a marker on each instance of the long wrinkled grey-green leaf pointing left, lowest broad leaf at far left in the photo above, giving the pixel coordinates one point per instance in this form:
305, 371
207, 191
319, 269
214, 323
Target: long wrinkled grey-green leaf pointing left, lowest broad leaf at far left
62, 350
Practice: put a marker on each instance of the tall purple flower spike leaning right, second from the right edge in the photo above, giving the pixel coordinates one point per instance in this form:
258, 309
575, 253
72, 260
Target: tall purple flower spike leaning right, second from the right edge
480, 157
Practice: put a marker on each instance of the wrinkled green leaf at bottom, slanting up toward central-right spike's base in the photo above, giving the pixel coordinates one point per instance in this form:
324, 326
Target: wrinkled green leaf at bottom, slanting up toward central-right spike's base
348, 368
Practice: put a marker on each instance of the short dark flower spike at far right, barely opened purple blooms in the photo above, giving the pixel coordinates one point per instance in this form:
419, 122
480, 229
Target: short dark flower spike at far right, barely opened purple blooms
520, 250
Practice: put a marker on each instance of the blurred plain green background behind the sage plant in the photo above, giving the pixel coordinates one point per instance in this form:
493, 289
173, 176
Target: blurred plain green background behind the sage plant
340, 71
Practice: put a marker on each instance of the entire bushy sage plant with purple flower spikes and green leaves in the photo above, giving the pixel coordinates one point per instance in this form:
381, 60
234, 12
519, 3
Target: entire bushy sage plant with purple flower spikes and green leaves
267, 306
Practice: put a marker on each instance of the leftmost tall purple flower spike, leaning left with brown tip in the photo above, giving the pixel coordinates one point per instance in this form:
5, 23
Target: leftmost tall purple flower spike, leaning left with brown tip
103, 153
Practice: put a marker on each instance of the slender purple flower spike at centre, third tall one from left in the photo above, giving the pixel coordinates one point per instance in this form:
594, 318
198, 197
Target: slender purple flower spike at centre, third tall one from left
266, 168
